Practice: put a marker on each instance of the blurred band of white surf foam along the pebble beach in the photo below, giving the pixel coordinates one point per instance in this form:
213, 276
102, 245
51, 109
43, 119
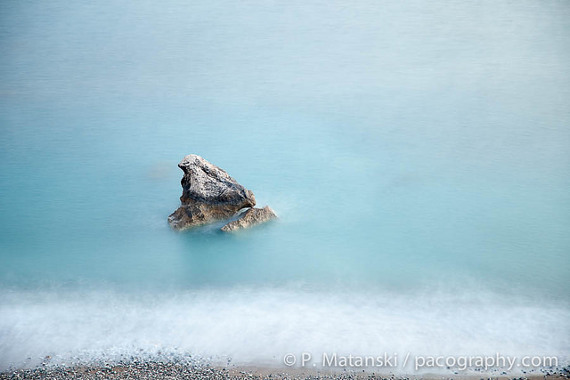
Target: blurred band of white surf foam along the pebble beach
261, 326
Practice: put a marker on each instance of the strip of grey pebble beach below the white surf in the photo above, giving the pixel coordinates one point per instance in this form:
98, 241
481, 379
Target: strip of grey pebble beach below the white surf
178, 370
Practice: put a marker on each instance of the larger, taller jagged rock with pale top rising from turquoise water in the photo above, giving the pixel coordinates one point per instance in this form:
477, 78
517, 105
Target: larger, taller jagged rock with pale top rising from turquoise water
208, 194
